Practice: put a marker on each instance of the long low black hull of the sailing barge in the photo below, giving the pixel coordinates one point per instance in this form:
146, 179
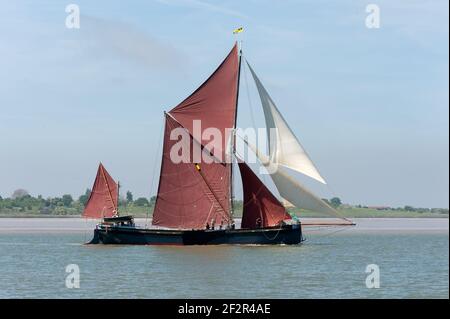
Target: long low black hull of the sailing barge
116, 235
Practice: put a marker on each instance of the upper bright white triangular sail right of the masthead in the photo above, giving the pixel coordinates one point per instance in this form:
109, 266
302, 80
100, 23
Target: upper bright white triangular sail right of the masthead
284, 147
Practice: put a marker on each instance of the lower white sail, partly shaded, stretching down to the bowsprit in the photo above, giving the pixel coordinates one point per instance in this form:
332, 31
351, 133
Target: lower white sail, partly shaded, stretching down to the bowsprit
293, 191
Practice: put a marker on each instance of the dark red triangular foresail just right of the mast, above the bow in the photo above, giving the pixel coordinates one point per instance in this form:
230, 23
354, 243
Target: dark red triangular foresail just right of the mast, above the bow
261, 207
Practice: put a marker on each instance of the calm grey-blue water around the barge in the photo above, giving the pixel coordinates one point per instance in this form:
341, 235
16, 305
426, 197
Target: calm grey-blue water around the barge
413, 261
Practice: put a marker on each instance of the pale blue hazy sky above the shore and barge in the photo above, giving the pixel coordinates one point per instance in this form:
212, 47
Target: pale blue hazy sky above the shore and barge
370, 106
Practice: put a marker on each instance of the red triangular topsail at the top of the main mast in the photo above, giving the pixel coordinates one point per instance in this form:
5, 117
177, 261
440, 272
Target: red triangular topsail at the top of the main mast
213, 103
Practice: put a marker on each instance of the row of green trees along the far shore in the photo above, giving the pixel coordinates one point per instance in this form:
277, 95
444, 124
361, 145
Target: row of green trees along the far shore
21, 202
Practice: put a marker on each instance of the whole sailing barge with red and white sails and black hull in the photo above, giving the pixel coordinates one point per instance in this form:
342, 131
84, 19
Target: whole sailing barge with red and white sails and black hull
194, 203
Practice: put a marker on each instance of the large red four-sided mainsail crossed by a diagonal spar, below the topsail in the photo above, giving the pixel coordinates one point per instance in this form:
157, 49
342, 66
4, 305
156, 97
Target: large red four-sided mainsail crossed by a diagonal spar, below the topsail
190, 195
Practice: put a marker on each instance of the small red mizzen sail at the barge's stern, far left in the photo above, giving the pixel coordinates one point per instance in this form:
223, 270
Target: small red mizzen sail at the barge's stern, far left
103, 199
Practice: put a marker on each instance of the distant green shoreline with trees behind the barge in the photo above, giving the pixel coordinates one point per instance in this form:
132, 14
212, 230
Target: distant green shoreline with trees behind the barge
27, 206
